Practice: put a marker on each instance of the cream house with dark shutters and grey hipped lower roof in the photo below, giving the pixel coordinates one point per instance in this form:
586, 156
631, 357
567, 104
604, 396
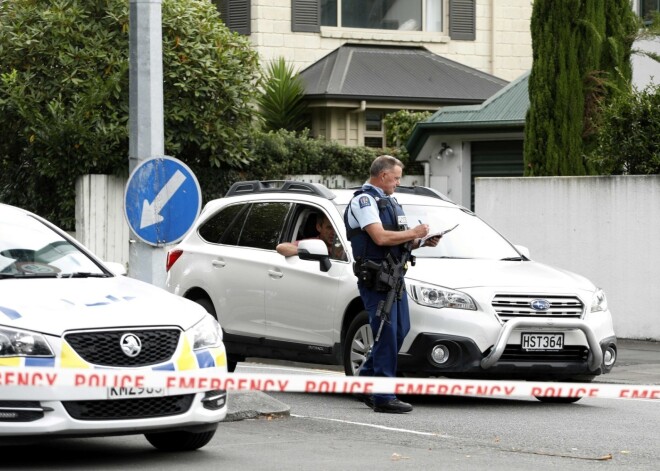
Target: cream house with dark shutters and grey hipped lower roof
361, 59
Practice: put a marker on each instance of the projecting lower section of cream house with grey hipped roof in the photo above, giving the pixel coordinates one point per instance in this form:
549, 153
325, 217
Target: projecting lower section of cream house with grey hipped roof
351, 90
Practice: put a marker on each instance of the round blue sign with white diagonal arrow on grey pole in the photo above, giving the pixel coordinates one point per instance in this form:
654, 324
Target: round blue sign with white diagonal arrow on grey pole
162, 200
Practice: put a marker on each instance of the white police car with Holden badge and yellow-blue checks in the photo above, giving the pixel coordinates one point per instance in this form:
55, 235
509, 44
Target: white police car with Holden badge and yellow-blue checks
61, 310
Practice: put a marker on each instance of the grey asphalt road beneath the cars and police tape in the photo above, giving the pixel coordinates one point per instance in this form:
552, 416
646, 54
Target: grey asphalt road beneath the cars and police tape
336, 432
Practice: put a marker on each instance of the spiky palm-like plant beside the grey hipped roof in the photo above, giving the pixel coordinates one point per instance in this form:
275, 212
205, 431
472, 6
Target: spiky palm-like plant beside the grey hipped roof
281, 101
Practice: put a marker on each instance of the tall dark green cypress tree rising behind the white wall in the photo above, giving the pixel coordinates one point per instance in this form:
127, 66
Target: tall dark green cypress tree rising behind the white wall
581, 51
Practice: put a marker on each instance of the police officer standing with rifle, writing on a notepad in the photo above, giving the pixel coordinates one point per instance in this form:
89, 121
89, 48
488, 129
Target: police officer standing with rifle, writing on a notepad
376, 226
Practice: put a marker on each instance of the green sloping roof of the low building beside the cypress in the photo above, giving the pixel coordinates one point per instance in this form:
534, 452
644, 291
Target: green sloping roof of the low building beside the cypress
504, 110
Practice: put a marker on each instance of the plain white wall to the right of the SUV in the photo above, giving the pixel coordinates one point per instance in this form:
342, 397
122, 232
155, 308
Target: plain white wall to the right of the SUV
605, 228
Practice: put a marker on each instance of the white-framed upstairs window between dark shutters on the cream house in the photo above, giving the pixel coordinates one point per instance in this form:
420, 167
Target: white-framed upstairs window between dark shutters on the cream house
403, 15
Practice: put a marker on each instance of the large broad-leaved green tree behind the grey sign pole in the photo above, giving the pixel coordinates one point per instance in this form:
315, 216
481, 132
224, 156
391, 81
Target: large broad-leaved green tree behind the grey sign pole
64, 95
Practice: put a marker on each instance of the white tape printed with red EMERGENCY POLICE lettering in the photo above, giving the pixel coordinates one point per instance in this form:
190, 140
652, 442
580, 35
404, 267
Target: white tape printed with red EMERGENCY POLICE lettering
52, 383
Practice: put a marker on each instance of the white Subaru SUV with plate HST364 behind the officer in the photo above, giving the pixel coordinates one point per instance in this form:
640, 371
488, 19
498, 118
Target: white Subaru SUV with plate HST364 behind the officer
479, 307
